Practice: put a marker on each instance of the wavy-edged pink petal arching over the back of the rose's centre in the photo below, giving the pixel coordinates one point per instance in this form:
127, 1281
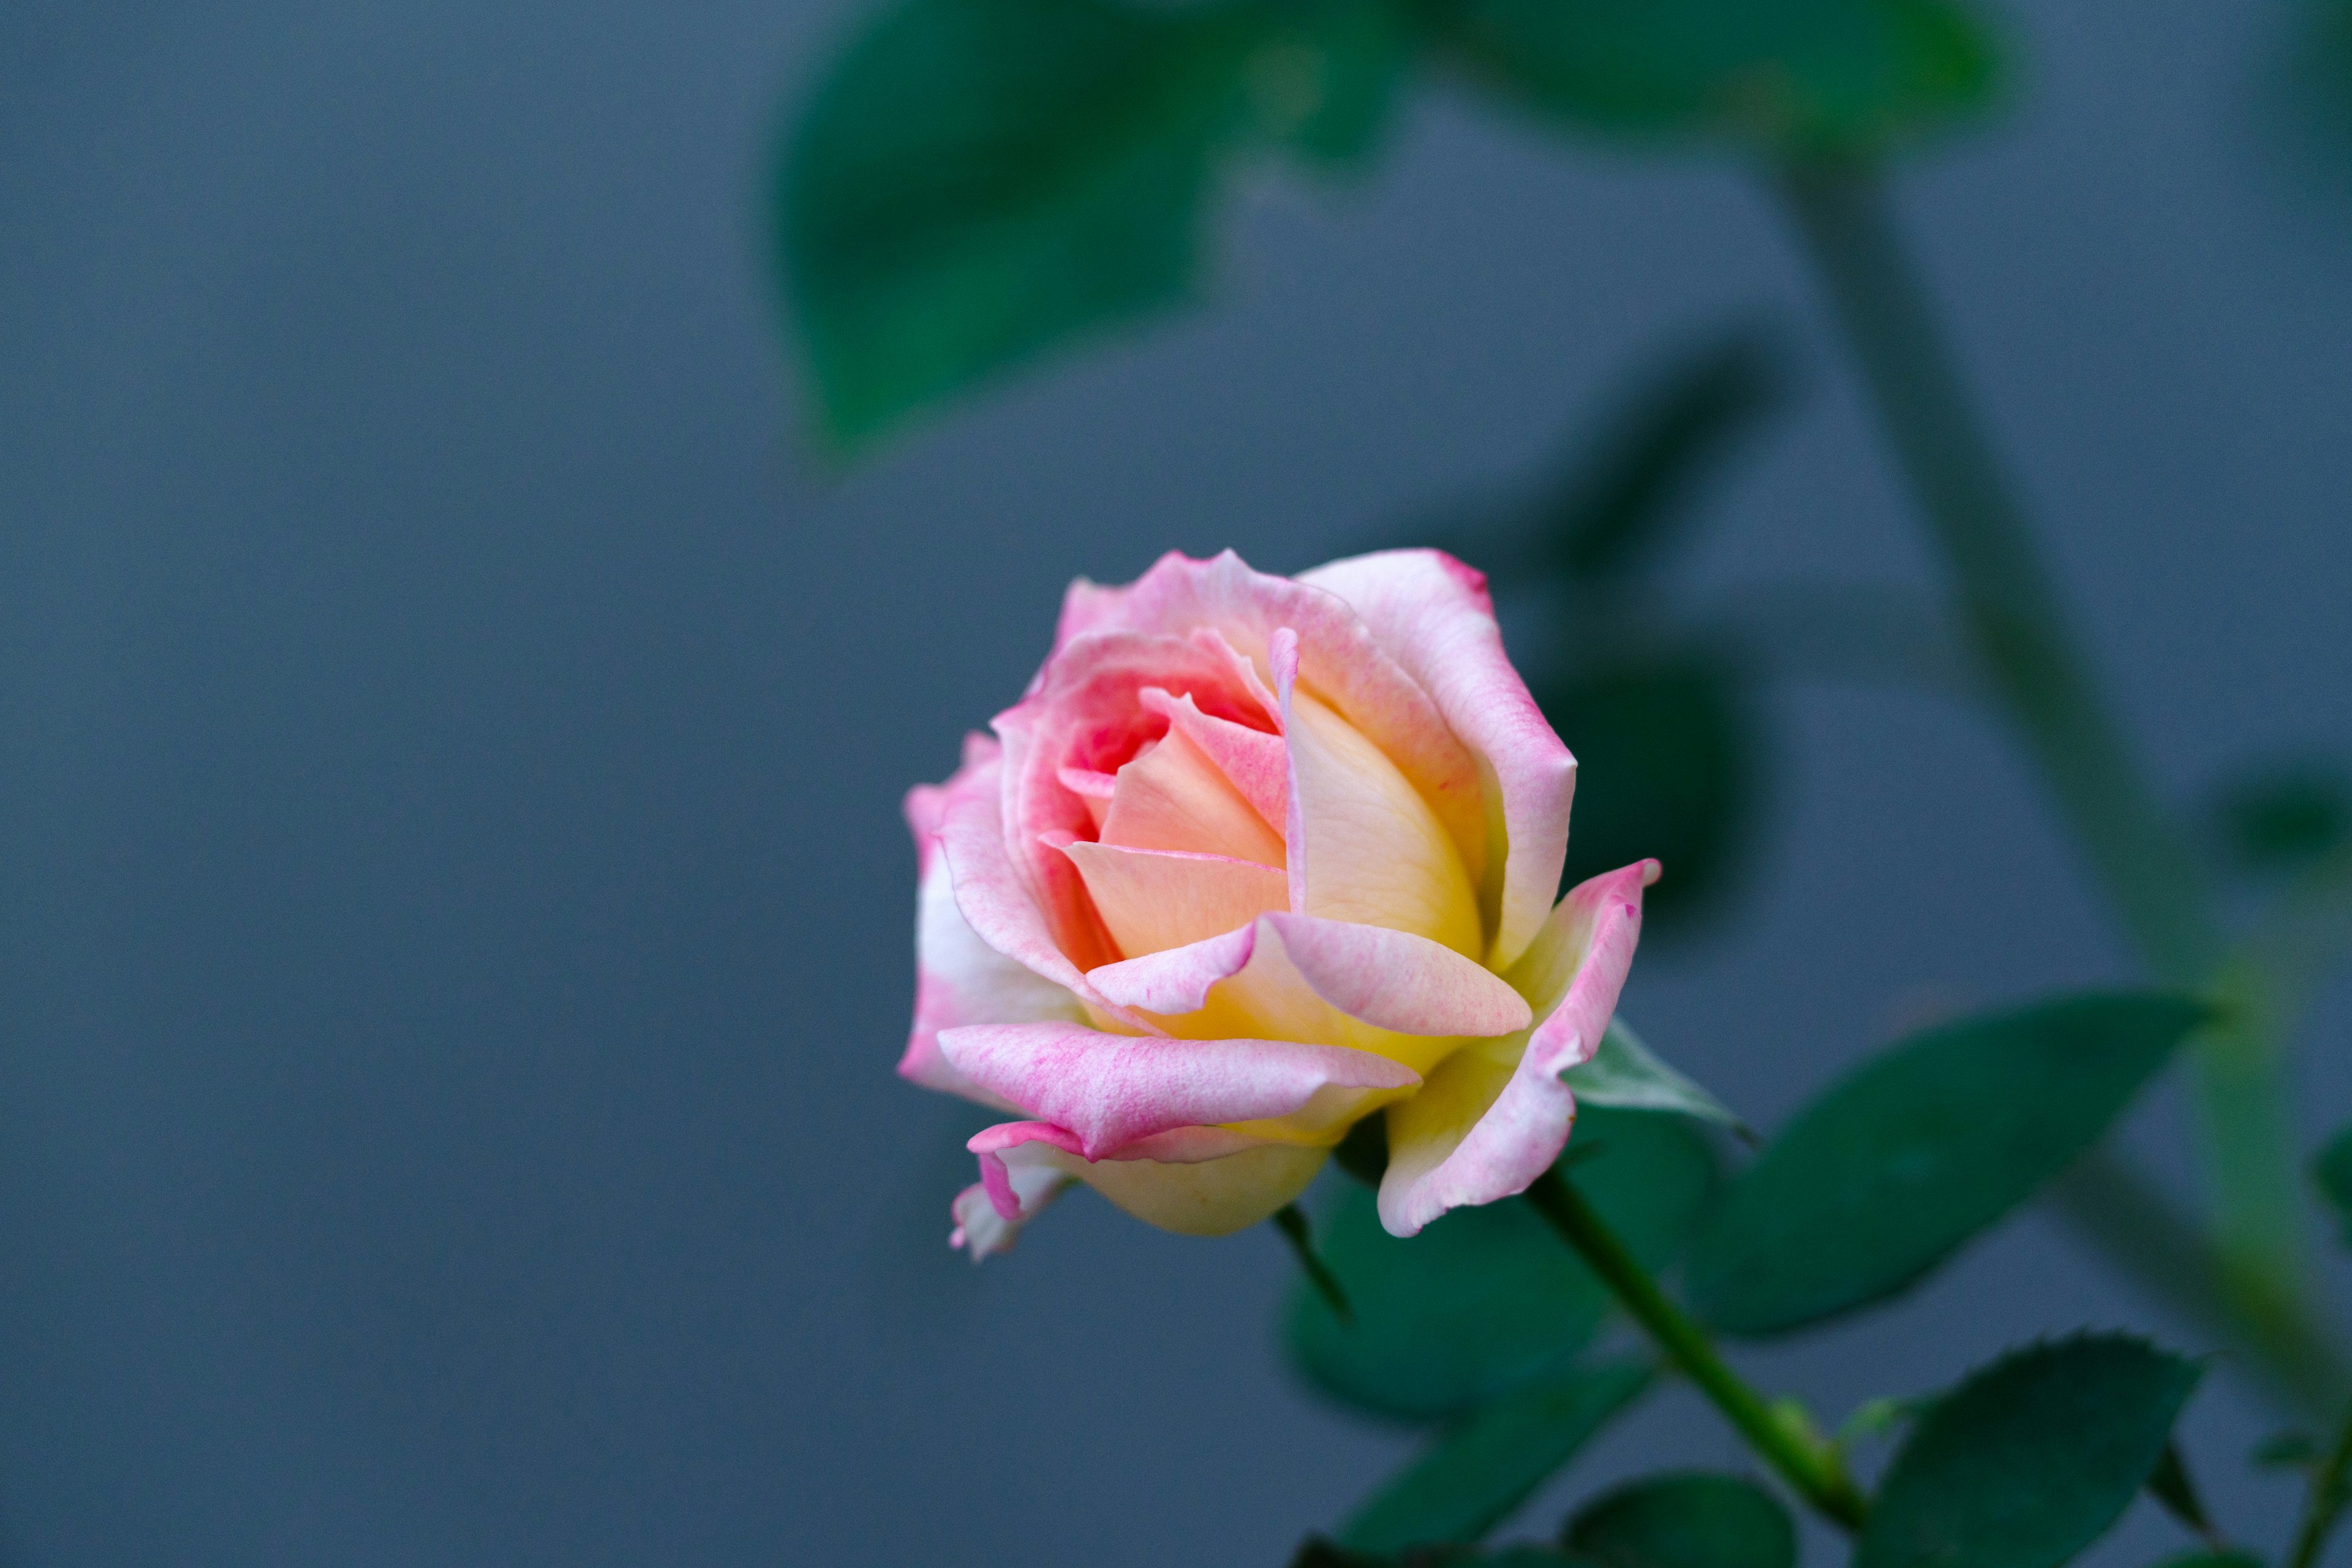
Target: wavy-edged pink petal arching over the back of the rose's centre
1342, 662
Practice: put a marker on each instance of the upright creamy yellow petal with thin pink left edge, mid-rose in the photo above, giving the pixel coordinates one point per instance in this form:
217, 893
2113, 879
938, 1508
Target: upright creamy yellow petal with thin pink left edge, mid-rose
1363, 843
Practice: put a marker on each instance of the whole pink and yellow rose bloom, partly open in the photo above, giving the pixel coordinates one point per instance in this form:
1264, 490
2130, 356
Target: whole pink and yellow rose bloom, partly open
1250, 862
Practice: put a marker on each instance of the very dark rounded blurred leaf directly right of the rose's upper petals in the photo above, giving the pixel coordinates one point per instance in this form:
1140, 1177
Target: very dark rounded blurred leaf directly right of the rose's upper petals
1669, 768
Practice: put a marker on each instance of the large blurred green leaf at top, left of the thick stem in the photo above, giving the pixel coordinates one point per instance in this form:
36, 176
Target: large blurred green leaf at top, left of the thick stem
982, 180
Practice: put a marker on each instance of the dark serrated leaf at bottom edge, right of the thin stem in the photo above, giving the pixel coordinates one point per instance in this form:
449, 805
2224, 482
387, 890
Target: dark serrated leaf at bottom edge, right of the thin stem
2031, 1459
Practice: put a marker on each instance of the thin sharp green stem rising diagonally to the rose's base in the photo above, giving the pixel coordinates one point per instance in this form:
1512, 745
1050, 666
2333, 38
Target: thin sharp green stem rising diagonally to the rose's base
1789, 1442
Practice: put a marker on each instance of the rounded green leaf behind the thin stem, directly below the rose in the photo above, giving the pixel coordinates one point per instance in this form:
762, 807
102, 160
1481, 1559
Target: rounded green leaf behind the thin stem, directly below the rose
1488, 1299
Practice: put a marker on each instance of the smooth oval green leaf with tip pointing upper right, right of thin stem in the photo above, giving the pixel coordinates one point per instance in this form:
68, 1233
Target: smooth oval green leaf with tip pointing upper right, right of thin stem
1918, 1151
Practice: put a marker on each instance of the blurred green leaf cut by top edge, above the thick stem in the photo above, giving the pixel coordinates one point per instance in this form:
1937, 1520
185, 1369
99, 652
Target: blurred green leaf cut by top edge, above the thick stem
1775, 76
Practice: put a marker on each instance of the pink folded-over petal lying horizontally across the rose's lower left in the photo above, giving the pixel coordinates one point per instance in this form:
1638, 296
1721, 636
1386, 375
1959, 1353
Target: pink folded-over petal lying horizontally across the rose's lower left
1114, 1090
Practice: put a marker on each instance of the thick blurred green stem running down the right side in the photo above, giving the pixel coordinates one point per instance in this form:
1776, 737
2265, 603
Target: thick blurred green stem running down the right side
2010, 610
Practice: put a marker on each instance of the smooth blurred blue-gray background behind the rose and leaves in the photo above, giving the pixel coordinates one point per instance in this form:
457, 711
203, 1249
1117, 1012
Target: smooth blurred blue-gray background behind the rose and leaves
450, 758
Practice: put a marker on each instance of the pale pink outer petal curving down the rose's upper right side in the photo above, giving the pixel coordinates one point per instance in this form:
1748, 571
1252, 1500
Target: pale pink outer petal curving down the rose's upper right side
1436, 619
